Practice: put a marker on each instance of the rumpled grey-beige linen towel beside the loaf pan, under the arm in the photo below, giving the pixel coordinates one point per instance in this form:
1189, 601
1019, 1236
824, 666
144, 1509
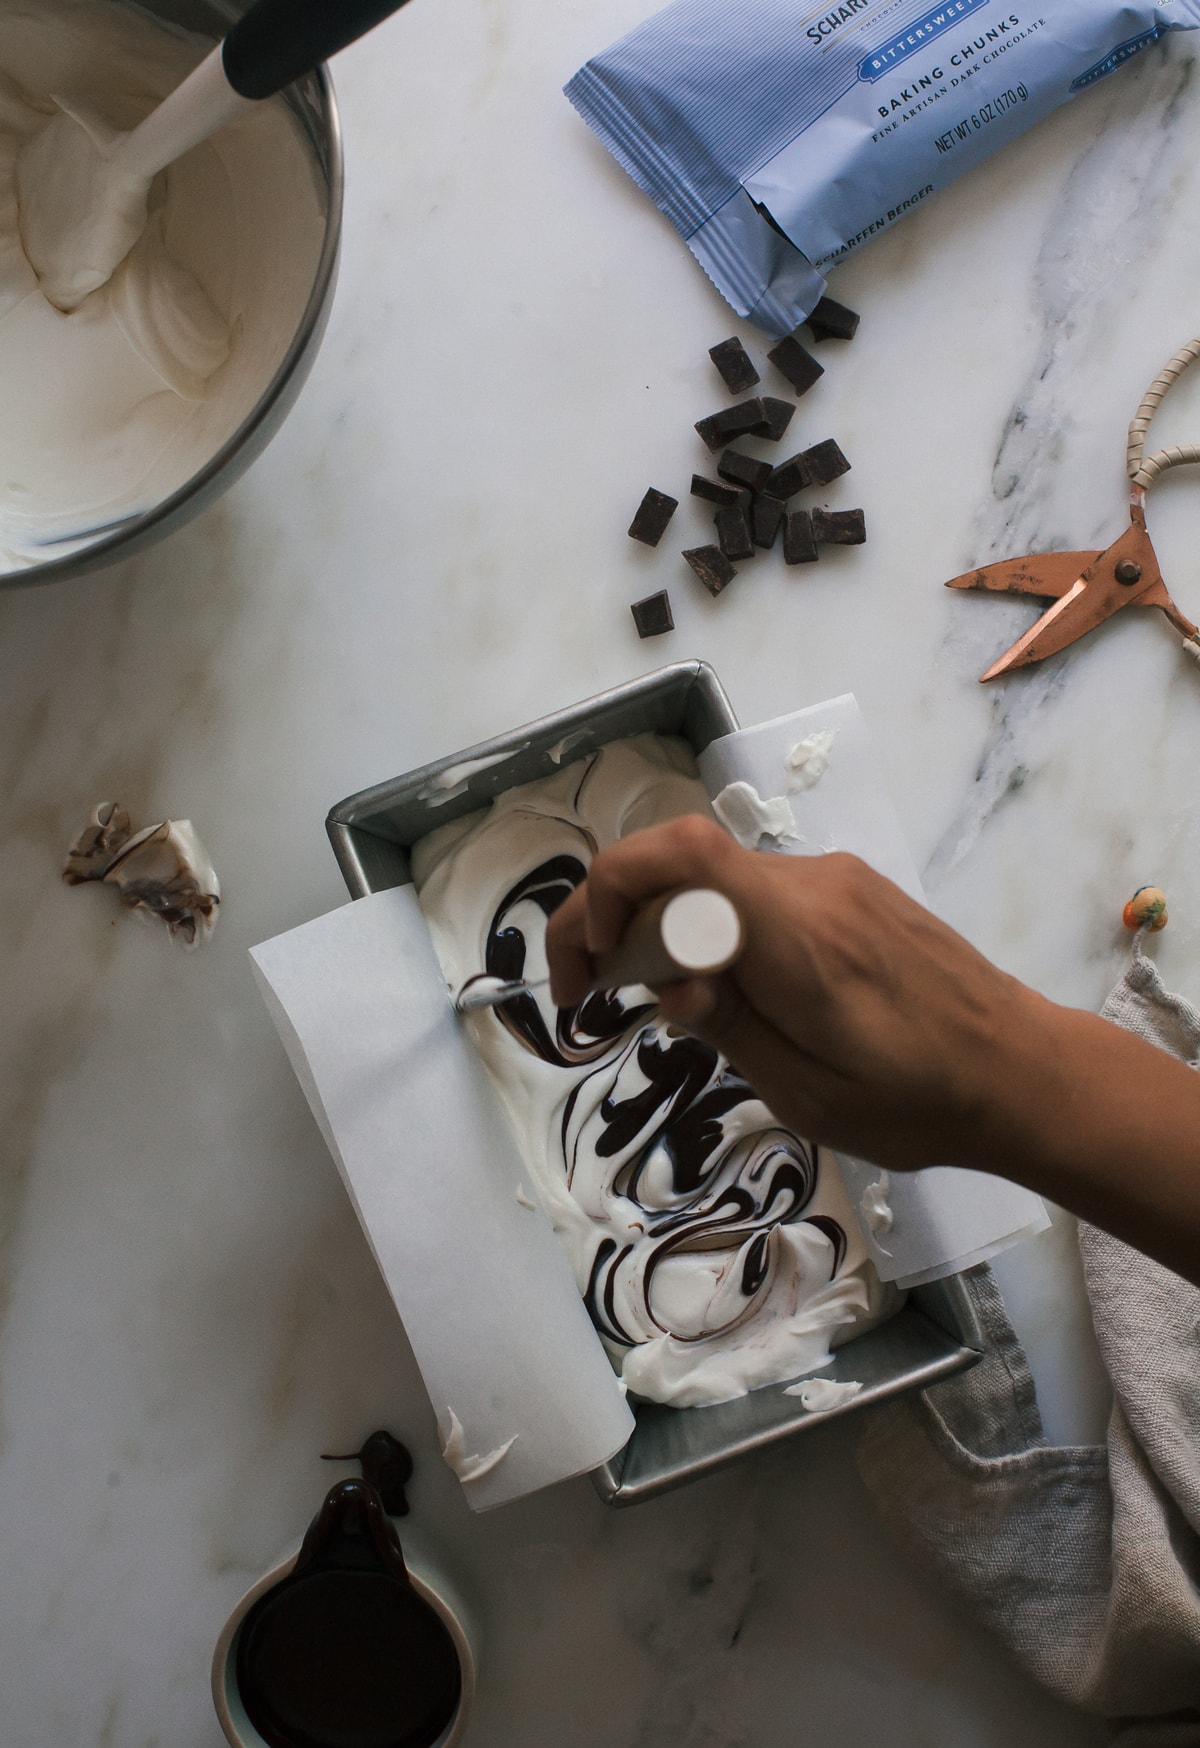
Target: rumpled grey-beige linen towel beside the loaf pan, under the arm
1084, 1560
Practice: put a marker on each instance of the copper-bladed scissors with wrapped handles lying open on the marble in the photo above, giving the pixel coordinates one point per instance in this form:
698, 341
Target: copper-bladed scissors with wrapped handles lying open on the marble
1089, 588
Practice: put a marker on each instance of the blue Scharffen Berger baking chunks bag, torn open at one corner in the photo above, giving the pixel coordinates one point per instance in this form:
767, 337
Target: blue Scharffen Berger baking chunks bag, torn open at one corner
779, 137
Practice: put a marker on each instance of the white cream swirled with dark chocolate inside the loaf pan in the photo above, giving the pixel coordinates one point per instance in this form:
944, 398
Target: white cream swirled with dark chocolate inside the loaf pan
715, 1249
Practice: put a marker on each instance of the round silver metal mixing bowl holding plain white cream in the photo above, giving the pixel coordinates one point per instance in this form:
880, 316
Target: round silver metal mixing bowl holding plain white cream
312, 102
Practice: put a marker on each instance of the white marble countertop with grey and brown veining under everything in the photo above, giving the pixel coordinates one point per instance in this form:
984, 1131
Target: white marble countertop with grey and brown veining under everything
433, 551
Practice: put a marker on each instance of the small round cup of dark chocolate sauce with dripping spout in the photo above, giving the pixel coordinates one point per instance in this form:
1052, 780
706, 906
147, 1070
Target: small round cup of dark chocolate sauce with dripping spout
345, 1644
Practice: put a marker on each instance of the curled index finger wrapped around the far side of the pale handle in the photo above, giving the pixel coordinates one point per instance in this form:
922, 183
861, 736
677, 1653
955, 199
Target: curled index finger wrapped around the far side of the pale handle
648, 864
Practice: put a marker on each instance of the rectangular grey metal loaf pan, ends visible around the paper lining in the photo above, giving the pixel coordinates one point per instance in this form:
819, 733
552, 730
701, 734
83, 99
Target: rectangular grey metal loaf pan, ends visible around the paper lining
372, 833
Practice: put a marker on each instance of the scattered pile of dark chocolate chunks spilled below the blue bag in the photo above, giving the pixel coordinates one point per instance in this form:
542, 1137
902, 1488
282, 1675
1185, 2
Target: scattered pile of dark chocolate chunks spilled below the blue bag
753, 497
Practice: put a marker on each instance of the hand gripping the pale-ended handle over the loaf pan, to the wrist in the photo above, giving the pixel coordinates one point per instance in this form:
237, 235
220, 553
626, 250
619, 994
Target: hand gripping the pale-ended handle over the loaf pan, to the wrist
860, 1018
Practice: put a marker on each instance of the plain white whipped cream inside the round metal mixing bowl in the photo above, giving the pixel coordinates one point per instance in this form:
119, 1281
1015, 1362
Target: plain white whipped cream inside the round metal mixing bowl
113, 408
